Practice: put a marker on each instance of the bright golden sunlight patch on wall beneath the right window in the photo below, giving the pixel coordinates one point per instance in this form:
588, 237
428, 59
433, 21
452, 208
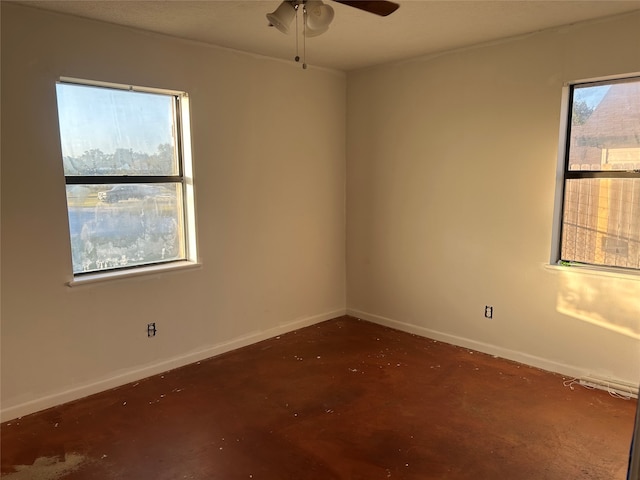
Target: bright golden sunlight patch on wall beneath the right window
609, 302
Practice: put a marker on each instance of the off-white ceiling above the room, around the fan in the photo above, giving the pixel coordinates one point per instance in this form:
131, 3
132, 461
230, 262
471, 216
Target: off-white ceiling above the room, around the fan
355, 38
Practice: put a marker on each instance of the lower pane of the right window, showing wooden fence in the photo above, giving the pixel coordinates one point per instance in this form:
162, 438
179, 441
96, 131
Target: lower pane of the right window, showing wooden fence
601, 222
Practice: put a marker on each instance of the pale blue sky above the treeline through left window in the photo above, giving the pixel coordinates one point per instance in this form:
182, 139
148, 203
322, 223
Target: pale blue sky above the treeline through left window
107, 119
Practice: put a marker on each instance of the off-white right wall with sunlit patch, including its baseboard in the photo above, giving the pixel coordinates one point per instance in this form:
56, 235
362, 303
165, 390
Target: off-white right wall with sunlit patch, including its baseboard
451, 166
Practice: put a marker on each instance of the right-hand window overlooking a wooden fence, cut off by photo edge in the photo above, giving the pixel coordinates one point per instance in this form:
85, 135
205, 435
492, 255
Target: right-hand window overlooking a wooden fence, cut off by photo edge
600, 191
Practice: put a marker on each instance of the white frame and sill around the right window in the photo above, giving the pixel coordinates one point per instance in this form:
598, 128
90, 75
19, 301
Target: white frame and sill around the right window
561, 177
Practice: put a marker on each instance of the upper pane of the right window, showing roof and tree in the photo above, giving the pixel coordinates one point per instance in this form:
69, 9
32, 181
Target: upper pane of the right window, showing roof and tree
605, 127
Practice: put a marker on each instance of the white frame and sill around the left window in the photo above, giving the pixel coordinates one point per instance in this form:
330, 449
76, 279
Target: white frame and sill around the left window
184, 153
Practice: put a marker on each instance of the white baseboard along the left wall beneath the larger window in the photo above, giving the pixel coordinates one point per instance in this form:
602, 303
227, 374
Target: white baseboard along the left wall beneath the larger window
138, 373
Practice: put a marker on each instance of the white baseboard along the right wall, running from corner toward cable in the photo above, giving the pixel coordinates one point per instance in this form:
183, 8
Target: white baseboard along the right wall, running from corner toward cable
524, 358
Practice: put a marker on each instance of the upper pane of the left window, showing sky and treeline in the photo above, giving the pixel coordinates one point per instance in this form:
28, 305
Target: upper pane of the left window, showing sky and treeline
107, 131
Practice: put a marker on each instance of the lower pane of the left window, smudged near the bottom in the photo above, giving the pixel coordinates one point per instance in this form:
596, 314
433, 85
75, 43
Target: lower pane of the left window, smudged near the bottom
123, 225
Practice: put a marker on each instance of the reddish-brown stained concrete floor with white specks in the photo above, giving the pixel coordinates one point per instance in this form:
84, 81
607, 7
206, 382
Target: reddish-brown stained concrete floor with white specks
345, 399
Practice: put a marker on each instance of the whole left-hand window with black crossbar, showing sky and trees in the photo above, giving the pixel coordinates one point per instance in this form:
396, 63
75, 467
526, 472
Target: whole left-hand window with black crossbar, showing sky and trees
126, 157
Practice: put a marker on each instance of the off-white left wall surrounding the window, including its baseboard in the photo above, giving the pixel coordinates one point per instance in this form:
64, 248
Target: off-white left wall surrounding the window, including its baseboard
269, 197
